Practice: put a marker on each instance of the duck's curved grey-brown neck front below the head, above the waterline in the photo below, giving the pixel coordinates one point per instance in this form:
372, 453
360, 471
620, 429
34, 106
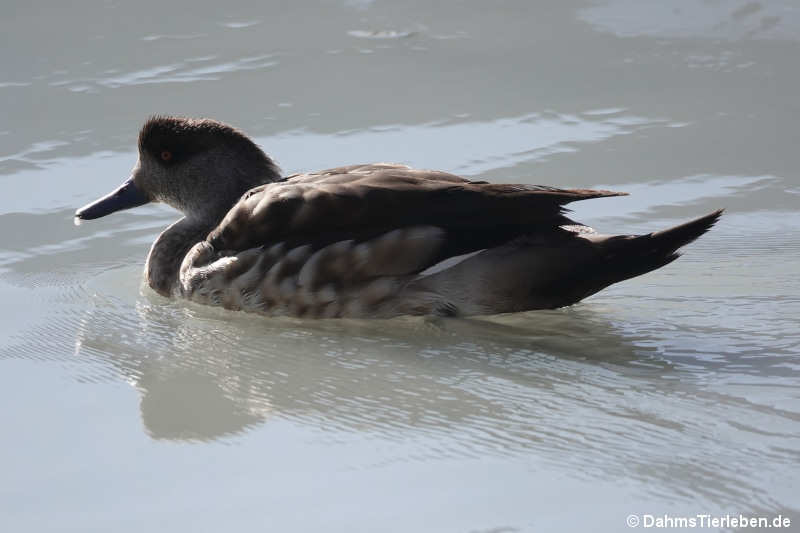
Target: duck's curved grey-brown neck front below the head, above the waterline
166, 254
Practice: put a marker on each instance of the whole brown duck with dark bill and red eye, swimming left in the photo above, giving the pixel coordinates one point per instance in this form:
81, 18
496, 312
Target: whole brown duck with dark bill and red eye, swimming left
365, 241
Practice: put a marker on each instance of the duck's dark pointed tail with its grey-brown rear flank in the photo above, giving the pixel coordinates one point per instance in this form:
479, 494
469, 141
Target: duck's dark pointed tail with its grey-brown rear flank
534, 274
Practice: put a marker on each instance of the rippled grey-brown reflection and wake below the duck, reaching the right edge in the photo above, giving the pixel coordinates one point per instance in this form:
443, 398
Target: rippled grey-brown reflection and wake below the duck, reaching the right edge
568, 387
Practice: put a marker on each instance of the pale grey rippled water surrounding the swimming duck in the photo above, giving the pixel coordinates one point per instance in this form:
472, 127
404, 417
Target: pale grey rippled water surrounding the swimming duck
671, 394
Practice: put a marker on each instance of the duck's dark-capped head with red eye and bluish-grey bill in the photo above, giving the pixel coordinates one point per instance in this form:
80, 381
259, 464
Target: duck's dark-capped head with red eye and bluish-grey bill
199, 166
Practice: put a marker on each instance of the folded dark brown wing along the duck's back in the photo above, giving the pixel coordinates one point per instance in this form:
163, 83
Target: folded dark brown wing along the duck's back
361, 202
